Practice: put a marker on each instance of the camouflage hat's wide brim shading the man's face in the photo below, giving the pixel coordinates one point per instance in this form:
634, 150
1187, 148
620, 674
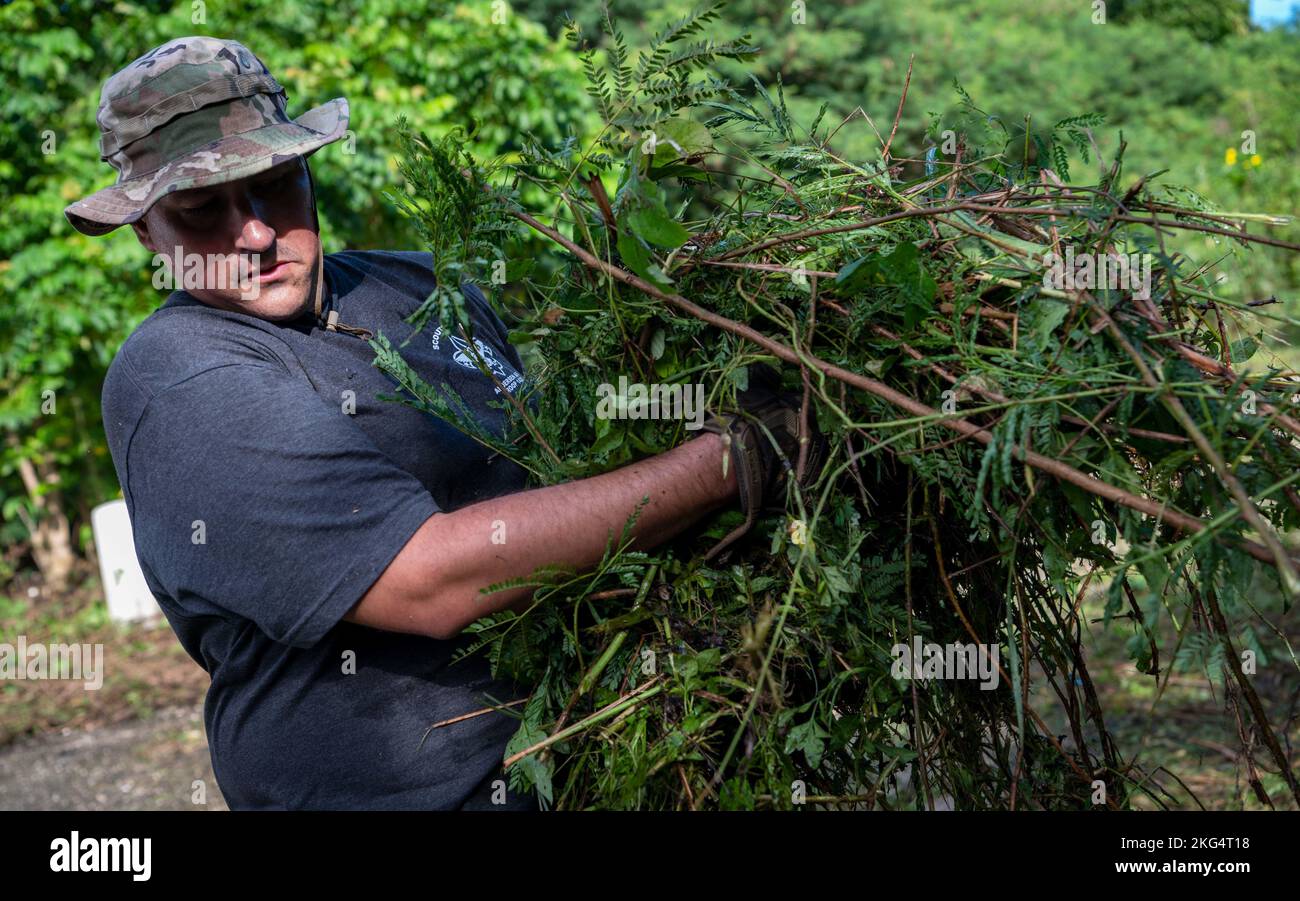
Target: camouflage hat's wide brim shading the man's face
226, 161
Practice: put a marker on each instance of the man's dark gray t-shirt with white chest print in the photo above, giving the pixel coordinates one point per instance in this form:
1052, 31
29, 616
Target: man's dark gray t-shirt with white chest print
268, 490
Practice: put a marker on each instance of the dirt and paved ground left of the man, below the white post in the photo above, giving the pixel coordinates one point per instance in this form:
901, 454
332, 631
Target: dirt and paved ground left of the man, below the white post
135, 744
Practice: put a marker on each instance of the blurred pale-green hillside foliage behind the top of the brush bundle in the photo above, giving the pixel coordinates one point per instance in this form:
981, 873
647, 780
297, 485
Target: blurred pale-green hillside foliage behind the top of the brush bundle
1181, 80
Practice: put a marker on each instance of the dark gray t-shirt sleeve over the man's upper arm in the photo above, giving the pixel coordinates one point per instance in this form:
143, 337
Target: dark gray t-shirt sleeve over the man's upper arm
252, 497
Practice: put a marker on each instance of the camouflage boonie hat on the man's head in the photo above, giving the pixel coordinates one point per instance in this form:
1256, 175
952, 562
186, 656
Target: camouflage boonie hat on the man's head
192, 114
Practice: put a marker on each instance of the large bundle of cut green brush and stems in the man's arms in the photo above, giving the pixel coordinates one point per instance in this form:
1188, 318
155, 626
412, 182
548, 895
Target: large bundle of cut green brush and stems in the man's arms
1007, 437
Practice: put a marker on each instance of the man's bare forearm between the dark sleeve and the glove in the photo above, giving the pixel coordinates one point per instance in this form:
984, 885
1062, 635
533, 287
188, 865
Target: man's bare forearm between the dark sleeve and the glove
570, 525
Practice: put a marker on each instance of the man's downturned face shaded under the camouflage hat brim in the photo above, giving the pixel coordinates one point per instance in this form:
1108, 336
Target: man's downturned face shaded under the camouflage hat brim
255, 237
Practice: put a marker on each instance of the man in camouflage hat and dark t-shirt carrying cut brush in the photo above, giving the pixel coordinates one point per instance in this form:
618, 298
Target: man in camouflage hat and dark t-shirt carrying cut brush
319, 552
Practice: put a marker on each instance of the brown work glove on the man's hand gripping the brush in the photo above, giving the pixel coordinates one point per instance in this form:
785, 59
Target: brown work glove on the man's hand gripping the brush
762, 470
